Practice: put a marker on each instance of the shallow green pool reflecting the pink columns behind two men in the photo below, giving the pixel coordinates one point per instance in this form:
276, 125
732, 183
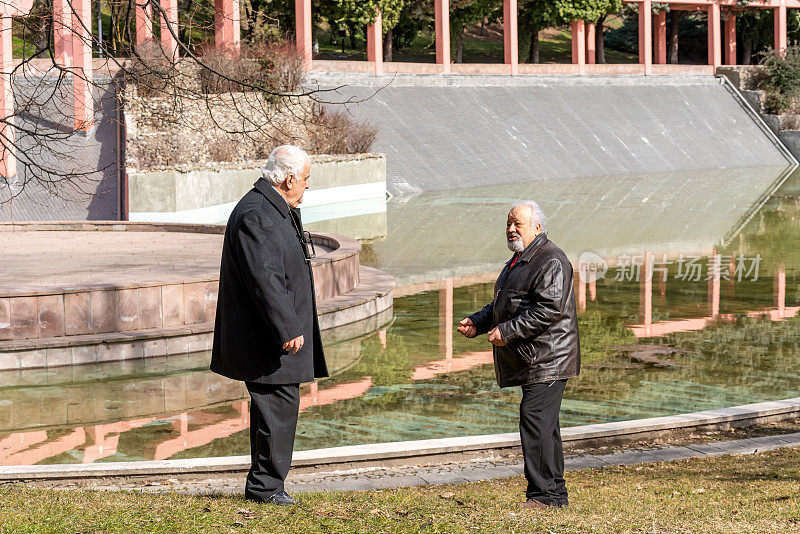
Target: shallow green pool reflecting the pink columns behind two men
715, 324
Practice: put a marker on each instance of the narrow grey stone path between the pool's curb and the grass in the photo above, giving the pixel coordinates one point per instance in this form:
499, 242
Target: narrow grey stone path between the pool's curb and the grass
458, 473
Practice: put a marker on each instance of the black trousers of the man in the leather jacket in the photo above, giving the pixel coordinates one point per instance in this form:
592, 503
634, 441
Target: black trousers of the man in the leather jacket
541, 442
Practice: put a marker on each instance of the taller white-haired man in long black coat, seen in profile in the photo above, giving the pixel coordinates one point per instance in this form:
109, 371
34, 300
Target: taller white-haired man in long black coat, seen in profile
266, 331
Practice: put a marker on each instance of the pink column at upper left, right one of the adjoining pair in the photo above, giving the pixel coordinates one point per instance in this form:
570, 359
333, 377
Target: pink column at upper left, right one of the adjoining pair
82, 73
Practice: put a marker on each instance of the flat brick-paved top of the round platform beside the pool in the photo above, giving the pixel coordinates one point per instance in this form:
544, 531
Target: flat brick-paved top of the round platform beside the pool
47, 260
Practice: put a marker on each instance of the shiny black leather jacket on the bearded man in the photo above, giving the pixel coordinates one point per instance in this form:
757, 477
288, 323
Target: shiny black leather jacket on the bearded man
534, 307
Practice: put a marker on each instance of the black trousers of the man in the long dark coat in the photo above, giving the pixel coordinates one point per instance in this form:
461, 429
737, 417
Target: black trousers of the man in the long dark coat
273, 422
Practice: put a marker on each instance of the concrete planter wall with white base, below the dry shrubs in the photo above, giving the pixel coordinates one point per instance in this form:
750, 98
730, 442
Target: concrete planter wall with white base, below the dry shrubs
347, 194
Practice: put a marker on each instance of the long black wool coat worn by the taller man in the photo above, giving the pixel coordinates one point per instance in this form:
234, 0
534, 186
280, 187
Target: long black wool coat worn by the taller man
266, 296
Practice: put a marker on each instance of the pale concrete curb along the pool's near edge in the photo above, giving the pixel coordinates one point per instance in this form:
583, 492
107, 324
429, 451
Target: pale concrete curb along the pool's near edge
354, 454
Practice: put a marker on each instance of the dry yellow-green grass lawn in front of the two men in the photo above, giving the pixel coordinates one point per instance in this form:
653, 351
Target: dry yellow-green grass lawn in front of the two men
757, 493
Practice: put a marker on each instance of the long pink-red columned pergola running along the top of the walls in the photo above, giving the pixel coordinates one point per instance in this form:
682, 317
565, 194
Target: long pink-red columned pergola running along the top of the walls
73, 45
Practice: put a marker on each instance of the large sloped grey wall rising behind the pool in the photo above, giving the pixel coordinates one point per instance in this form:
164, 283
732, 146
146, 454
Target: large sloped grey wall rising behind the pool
444, 132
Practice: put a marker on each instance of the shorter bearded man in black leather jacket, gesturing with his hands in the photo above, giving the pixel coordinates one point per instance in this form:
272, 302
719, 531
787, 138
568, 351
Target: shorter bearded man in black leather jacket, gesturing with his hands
533, 327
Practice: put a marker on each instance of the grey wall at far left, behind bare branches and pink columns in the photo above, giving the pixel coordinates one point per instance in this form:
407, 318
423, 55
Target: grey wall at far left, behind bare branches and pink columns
93, 194
